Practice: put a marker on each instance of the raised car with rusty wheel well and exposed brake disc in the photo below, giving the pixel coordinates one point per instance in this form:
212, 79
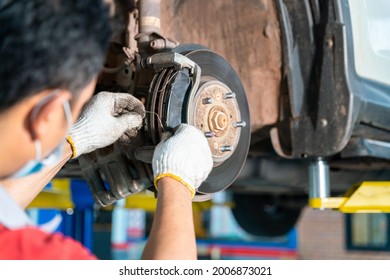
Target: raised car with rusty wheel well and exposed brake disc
273, 84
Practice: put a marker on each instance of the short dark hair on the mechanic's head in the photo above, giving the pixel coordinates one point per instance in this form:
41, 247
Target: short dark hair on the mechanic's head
48, 44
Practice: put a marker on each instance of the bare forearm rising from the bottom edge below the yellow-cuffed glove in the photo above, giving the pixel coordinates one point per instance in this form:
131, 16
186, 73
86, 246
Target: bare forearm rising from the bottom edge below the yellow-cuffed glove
173, 234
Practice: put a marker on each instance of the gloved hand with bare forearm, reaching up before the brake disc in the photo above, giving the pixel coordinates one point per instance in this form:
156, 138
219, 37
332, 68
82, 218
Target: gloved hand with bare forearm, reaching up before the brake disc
183, 159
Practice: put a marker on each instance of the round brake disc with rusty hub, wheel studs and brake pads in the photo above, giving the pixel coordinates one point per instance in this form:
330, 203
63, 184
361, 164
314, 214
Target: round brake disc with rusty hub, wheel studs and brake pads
218, 108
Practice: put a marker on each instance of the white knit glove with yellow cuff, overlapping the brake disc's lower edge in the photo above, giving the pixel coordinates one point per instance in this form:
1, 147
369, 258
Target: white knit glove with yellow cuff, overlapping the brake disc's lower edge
185, 157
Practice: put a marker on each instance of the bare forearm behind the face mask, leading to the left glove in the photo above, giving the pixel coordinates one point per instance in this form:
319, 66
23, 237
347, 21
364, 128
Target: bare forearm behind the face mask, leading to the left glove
24, 190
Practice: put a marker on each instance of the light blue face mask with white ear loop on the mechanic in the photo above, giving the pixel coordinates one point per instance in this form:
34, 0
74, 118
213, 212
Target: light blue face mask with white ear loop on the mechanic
37, 164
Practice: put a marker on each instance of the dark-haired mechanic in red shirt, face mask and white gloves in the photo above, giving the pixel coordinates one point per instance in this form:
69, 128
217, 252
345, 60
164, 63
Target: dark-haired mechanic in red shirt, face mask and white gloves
51, 53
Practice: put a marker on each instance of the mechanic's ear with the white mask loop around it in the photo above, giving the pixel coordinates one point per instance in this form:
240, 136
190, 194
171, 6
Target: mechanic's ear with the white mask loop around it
48, 113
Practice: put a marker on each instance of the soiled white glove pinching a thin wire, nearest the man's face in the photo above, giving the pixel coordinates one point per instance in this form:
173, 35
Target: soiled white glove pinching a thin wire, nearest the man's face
106, 118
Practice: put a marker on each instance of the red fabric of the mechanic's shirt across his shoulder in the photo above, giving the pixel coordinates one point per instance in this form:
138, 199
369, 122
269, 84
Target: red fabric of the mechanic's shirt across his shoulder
30, 243
